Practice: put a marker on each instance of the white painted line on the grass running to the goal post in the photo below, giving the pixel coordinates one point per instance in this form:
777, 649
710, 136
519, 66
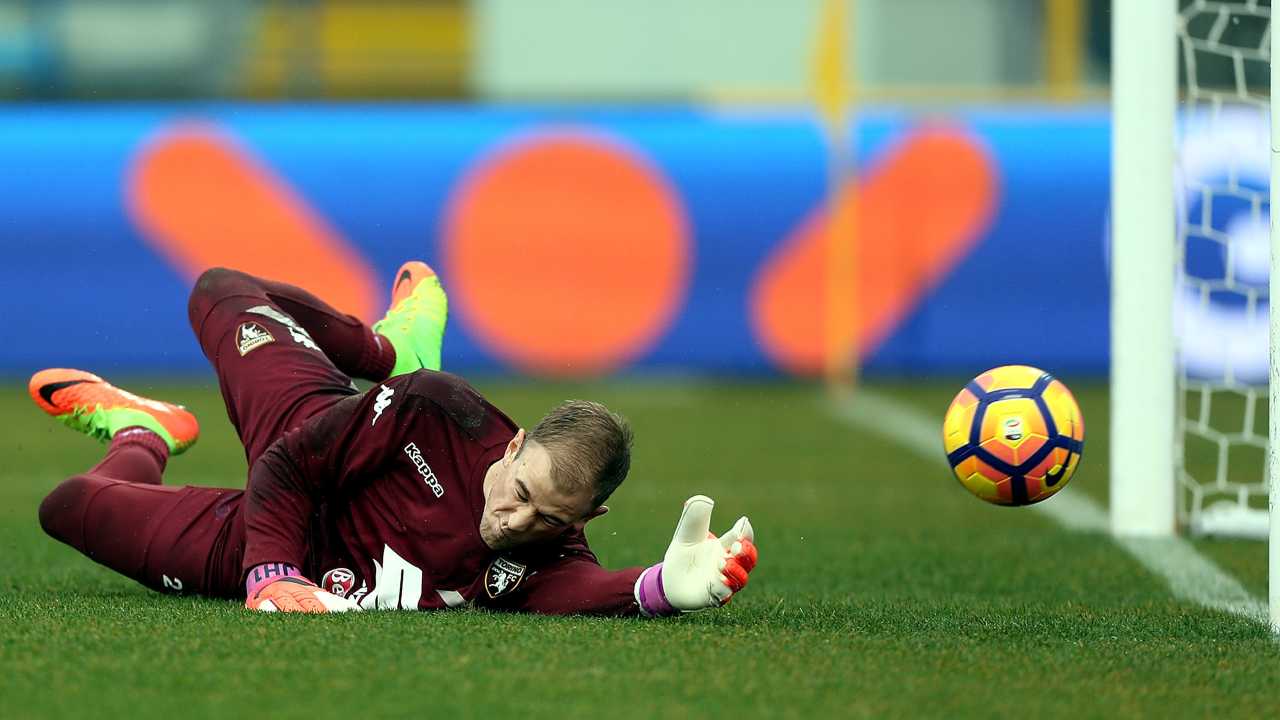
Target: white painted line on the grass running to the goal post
1191, 576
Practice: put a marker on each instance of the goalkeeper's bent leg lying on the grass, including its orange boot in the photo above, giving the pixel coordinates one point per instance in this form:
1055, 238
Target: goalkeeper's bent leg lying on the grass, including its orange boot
118, 514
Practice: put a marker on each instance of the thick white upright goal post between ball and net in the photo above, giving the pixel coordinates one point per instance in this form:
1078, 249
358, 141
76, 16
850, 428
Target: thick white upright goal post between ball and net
1144, 101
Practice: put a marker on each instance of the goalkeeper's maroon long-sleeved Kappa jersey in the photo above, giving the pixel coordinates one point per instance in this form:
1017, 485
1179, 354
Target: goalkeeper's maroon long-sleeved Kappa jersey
380, 499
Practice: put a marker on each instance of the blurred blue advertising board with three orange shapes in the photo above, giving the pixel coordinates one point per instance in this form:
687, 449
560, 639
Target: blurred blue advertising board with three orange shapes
572, 241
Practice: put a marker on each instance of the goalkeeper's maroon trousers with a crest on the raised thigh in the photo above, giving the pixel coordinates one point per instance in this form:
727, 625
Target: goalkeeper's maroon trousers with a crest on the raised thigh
191, 540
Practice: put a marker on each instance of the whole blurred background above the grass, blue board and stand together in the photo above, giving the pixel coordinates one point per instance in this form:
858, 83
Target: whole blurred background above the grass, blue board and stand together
131, 166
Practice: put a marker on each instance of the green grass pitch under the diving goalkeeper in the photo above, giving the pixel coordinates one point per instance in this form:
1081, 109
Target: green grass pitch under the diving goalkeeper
884, 590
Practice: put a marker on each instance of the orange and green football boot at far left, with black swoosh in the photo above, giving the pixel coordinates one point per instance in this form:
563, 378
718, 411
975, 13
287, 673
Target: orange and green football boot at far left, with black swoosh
86, 403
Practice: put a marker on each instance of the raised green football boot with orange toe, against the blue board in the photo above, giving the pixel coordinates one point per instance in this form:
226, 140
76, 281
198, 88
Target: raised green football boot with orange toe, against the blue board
415, 322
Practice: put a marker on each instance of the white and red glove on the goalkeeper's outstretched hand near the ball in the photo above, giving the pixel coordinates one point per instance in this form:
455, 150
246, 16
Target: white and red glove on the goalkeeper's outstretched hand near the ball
700, 569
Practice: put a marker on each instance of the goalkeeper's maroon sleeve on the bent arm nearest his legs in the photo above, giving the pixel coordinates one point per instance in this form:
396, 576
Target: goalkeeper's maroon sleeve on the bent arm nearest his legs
323, 459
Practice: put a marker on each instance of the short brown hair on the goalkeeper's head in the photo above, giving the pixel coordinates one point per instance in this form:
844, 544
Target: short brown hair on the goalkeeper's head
589, 446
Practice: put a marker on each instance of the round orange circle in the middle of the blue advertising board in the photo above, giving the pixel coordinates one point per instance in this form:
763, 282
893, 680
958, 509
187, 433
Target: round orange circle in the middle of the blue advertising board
566, 253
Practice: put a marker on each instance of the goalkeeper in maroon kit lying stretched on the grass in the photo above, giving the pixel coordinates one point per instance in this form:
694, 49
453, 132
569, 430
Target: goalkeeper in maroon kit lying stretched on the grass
418, 494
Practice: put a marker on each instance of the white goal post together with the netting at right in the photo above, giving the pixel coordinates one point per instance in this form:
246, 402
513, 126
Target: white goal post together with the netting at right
1195, 366
